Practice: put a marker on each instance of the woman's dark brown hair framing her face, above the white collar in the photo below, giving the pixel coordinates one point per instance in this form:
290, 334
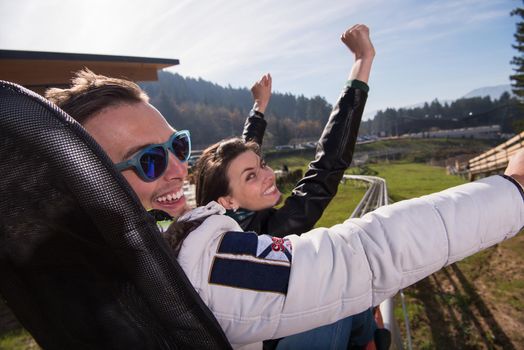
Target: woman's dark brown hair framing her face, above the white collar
211, 168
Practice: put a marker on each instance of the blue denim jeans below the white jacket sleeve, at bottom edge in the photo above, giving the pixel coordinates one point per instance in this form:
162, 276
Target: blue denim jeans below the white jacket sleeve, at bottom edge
359, 329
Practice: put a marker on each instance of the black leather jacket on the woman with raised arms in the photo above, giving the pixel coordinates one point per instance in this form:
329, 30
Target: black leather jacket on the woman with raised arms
312, 194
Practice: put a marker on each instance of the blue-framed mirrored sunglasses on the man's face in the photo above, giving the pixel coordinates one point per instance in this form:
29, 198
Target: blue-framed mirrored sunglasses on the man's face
151, 161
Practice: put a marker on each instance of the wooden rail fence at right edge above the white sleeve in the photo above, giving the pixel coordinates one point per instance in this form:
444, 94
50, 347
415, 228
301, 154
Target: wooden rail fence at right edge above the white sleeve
496, 159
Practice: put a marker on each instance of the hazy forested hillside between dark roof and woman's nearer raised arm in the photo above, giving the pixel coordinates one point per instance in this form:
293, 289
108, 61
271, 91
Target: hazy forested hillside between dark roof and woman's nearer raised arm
212, 112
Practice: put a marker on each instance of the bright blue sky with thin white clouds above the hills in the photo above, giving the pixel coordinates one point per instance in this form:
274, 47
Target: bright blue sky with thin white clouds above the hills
425, 49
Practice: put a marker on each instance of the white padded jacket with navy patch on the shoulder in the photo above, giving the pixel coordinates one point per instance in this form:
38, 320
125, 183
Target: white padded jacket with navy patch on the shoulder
263, 288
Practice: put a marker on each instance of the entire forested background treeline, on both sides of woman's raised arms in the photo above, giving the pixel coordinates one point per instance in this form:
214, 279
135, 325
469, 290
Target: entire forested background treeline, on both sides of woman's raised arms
212, 112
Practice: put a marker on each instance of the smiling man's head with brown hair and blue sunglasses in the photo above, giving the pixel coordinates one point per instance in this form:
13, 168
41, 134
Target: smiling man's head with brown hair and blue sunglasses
150, 153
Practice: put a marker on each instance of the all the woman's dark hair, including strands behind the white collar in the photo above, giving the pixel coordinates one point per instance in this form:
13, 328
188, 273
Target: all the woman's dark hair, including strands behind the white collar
211, 183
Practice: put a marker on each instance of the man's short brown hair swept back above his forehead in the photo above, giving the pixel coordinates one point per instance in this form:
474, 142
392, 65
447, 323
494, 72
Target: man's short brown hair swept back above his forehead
91, 93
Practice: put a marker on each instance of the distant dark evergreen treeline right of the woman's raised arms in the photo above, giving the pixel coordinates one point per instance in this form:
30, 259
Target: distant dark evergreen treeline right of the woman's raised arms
465, 112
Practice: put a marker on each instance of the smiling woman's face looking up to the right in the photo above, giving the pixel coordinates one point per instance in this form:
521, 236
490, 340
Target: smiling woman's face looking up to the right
252, 184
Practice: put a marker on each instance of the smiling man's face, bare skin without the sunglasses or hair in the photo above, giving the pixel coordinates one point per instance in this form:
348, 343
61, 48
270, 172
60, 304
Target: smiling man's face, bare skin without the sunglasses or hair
122, 131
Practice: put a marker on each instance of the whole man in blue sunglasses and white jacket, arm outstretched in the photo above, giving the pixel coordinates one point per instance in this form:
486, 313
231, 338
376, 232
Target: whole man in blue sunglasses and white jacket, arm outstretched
152, 155
